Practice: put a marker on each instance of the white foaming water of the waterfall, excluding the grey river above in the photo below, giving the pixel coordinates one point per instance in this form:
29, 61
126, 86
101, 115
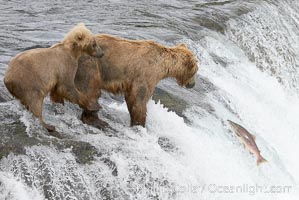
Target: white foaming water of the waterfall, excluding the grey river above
253, 74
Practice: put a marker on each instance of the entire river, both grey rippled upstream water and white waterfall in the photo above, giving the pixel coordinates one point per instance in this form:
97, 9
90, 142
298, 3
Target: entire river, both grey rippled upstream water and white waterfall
248, 73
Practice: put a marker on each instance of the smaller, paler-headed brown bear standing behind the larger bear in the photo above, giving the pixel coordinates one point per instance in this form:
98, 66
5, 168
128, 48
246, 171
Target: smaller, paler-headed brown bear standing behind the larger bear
31, 75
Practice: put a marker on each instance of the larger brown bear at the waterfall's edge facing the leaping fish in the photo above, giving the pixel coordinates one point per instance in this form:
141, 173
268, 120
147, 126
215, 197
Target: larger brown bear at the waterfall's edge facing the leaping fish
132, 68
